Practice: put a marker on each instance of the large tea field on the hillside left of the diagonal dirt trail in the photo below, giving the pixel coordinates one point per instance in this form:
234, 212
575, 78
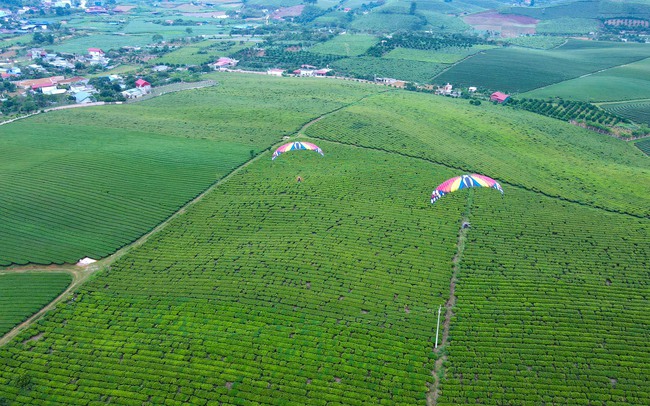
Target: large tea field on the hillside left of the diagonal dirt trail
113, 173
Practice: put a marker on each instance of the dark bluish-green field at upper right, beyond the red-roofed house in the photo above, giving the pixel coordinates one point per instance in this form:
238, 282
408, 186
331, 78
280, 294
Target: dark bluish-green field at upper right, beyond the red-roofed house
522, 70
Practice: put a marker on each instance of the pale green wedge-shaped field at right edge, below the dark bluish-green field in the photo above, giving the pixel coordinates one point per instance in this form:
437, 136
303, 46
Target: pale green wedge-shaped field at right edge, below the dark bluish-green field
627, 82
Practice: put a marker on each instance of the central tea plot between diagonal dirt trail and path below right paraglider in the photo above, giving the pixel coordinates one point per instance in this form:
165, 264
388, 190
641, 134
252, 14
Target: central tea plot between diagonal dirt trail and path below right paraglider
266, 291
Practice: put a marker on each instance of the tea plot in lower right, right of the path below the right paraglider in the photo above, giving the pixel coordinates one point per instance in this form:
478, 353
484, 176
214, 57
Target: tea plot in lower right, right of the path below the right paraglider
551, 306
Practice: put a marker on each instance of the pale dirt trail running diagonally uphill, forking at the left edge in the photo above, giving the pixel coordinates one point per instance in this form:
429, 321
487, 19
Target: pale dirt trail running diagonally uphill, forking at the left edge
82, 273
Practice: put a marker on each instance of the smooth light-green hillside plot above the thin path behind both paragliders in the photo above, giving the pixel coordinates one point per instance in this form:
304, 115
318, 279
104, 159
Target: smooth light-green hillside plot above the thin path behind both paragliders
539, 153
